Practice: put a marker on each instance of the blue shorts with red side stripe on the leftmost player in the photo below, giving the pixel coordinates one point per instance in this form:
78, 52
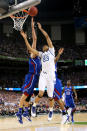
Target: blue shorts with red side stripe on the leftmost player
29, 84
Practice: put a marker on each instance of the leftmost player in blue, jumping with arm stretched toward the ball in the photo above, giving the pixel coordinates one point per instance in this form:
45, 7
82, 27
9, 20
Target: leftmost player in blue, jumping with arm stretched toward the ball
31, 80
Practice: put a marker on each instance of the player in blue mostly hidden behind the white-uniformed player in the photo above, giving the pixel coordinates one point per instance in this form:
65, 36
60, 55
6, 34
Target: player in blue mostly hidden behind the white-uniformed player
58, 90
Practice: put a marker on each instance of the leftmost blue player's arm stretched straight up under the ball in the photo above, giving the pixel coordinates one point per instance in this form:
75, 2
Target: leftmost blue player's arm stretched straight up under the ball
34, 37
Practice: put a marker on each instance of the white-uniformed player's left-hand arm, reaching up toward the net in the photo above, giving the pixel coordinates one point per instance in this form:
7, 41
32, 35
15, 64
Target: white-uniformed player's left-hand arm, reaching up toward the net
31, 50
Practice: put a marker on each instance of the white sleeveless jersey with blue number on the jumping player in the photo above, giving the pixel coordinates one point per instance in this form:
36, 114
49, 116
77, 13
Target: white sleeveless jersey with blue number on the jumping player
47, 59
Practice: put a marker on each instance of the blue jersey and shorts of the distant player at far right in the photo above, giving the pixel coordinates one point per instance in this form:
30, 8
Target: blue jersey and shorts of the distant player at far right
69, 101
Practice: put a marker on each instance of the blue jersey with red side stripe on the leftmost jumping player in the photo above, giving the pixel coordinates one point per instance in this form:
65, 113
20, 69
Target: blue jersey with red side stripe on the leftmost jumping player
35, 65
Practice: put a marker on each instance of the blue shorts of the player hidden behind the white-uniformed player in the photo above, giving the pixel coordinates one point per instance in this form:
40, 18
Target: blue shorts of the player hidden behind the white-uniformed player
58, 90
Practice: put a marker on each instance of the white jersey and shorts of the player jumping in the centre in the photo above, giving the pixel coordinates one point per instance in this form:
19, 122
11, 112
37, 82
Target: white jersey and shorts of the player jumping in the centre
47, 76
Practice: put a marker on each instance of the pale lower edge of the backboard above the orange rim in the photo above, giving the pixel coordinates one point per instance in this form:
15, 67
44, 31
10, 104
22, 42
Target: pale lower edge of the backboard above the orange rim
16, 6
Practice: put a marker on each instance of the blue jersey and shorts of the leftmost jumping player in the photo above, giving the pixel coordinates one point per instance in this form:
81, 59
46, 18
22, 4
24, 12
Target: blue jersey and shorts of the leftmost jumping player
32, 77
